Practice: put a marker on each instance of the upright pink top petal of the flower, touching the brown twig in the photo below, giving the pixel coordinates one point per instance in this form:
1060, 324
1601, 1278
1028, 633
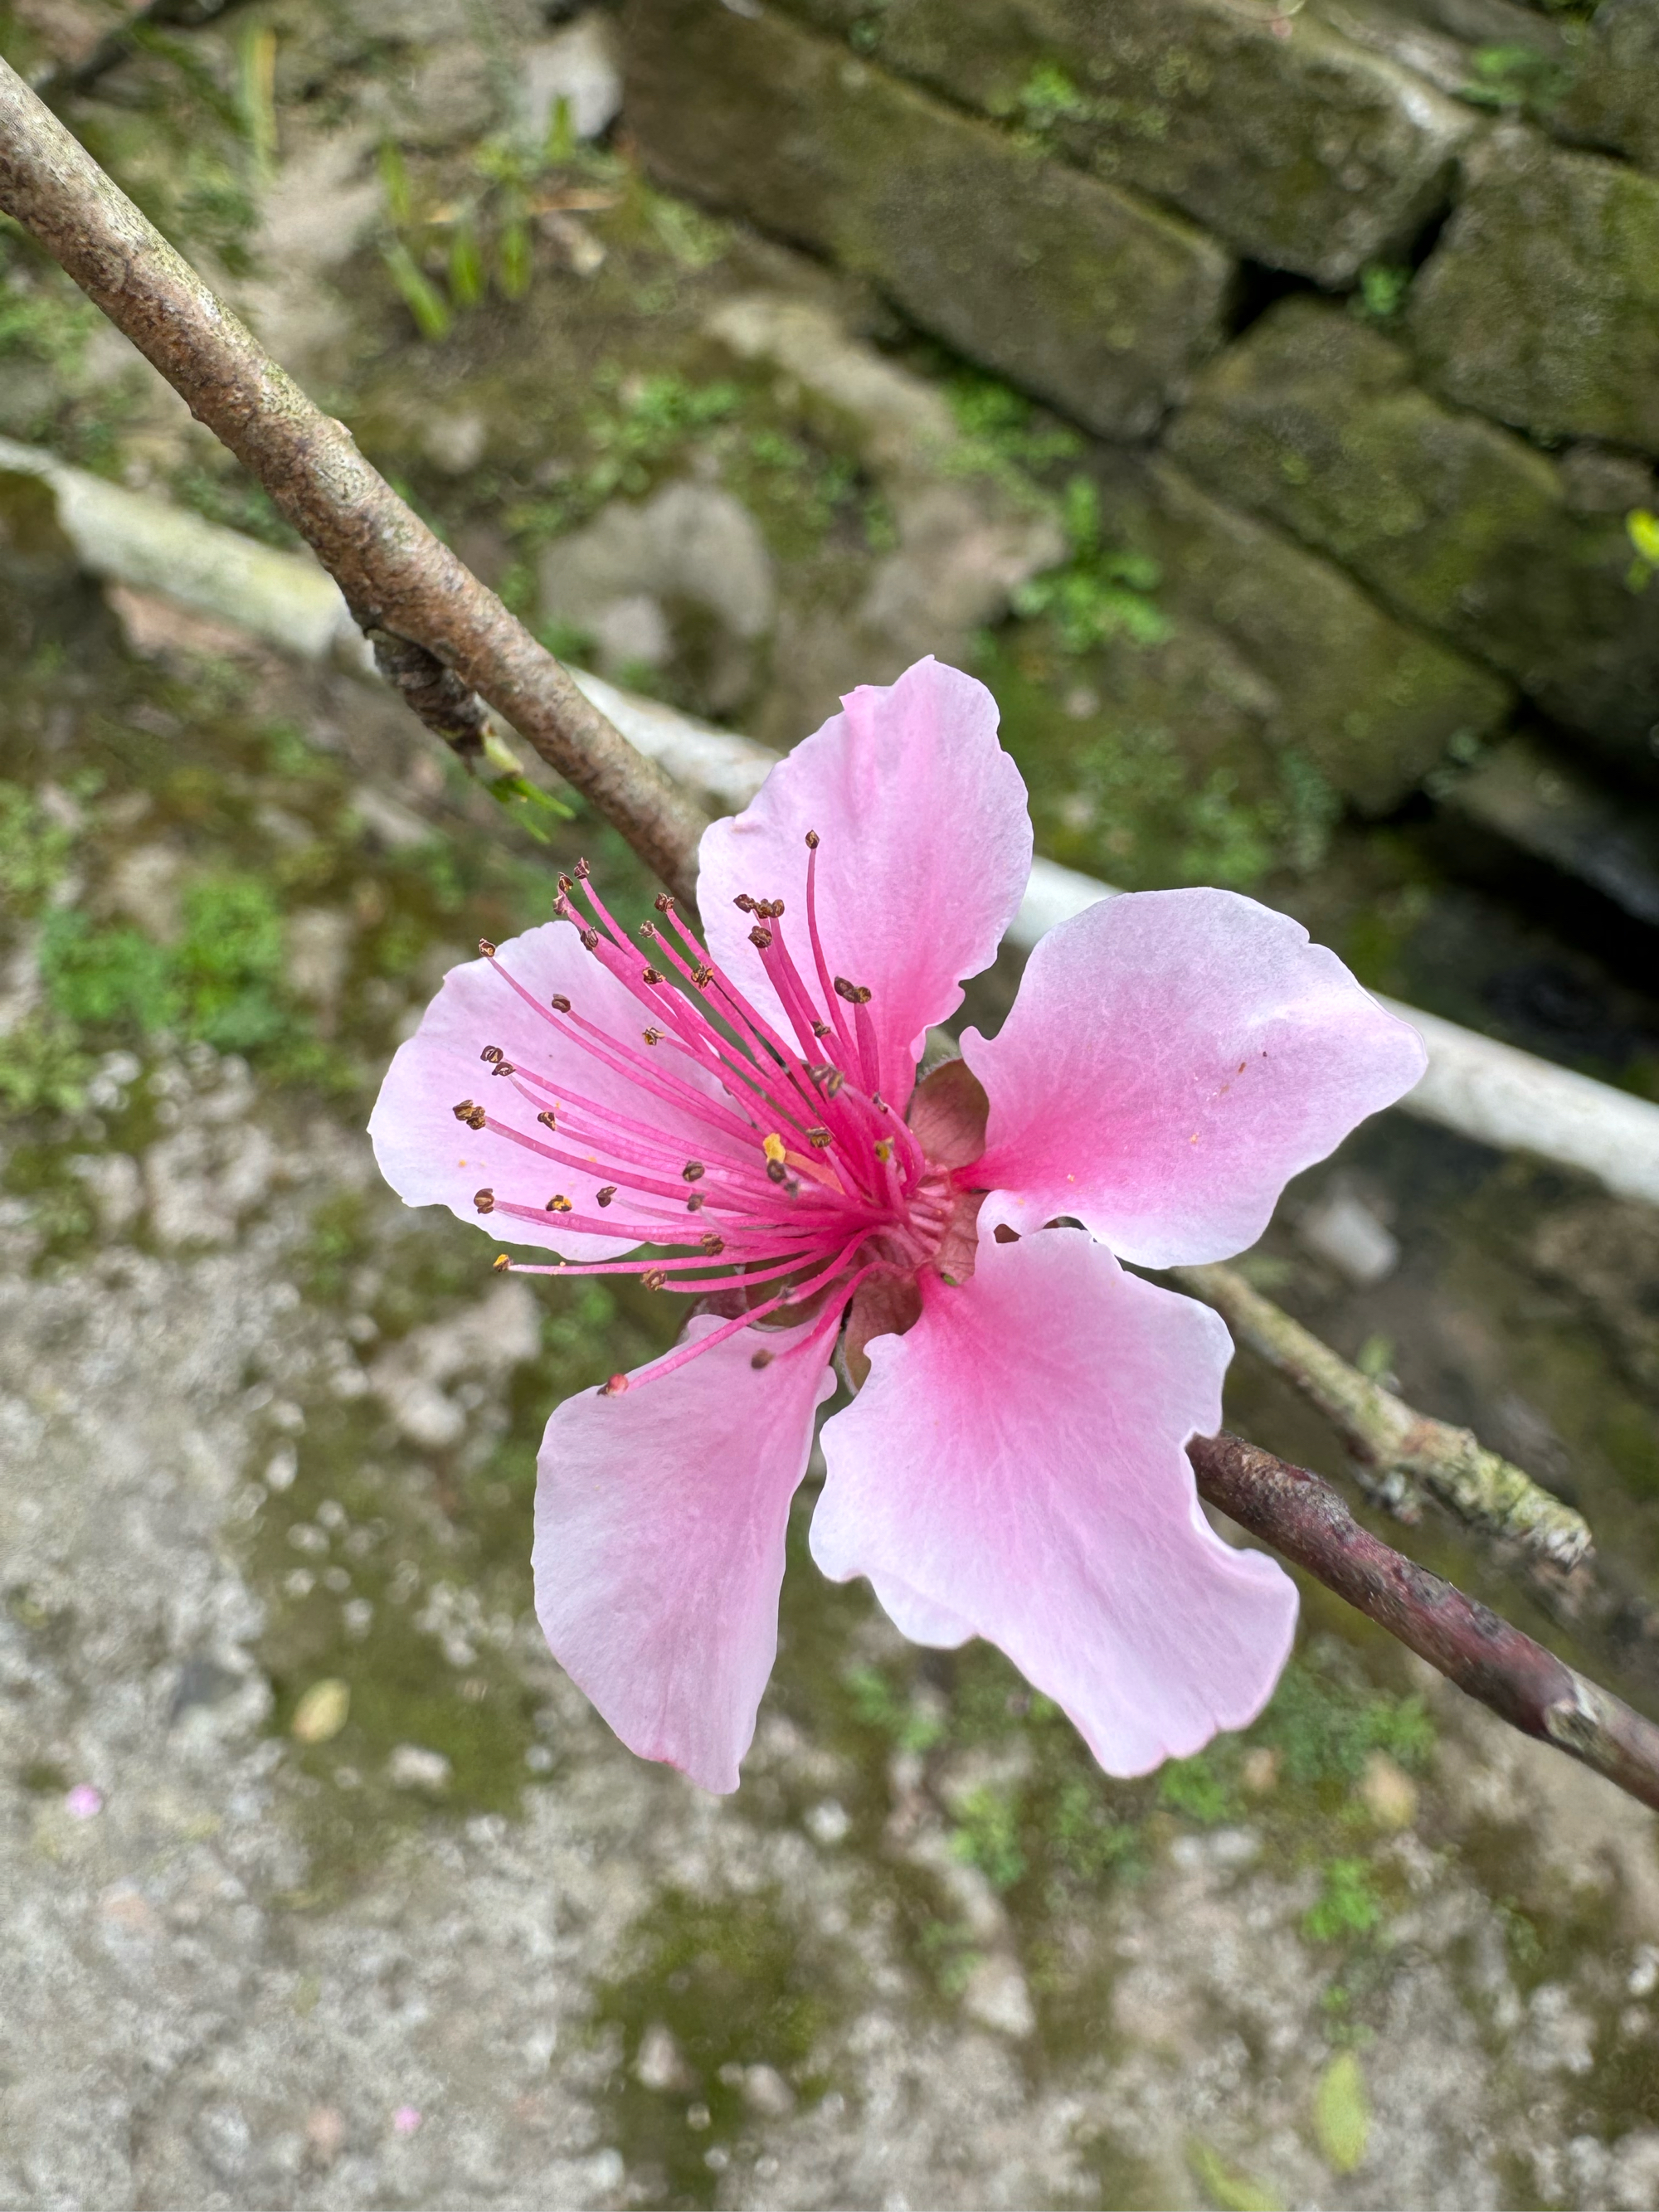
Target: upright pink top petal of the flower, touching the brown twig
926, 851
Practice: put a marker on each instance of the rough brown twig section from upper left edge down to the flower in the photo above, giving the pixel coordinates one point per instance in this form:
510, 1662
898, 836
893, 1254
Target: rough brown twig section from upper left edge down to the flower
395, 574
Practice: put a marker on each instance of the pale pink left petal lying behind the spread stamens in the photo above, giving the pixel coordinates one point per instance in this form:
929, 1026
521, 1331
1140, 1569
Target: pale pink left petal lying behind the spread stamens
435, 1160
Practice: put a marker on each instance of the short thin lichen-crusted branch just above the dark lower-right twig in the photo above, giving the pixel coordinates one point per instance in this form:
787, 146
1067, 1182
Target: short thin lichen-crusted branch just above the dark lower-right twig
1395, 1446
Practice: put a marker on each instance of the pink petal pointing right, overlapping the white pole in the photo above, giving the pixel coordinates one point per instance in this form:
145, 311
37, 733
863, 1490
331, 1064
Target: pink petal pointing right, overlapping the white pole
1171, 1061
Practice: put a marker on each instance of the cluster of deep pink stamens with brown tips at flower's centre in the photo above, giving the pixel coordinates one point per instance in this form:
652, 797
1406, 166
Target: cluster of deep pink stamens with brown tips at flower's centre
804, 1182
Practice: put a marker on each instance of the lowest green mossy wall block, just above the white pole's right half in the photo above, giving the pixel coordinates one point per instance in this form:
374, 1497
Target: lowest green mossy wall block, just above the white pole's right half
1368, 700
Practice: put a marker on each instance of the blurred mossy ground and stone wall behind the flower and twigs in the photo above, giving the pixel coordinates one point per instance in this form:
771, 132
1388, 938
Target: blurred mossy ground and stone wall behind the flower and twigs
1260, 401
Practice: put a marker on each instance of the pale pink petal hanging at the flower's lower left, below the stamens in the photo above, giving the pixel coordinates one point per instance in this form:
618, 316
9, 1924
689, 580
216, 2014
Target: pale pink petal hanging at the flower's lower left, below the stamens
660, 1543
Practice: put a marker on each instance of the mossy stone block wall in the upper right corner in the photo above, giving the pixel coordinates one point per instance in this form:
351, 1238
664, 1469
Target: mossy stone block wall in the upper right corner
1366, 298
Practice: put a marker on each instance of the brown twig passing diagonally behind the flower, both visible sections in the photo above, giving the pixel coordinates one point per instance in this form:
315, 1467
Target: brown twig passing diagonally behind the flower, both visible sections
444, 636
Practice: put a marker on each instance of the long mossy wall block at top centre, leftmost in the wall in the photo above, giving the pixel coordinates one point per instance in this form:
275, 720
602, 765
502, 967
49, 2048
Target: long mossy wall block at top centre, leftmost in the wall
1050, 278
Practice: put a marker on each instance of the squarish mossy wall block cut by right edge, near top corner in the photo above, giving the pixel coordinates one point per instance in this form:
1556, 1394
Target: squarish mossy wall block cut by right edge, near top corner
1541, 306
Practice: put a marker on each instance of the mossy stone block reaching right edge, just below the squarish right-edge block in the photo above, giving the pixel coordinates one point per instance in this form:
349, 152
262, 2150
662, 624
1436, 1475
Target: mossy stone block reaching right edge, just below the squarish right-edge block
1315, 424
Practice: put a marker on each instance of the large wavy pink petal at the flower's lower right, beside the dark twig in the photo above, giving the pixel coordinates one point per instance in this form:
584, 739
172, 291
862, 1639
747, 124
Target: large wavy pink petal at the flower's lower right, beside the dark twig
1016, 1463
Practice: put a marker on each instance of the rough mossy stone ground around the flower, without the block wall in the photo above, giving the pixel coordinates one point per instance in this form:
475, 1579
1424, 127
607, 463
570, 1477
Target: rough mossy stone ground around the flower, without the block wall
269, 1439
